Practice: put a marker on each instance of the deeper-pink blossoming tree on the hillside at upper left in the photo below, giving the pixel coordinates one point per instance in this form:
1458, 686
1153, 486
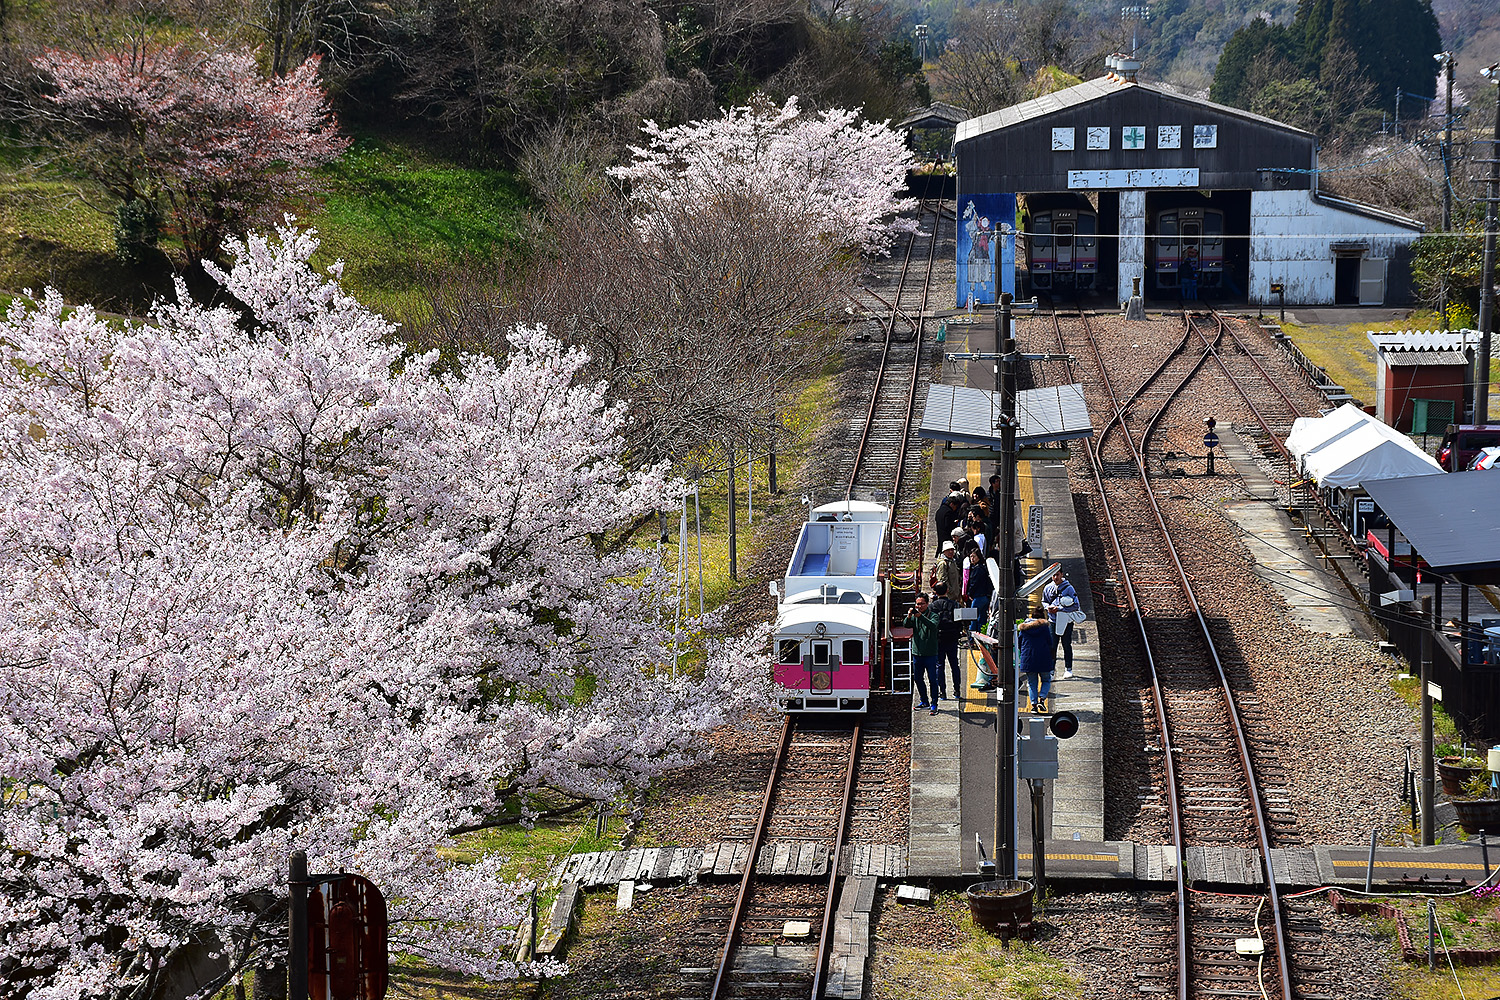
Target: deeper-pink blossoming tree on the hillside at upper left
199, 137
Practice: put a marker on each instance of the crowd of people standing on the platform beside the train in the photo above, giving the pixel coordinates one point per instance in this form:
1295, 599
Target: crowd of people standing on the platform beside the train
961, 578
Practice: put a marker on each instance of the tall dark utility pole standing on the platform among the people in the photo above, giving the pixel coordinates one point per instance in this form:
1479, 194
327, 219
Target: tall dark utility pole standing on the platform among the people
1006, 725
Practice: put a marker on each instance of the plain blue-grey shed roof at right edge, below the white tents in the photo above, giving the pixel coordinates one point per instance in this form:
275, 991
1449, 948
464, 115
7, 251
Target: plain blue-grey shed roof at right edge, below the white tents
1453, 521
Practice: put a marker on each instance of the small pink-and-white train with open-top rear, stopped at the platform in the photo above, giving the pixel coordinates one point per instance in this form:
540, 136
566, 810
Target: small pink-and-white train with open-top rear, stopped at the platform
833, 609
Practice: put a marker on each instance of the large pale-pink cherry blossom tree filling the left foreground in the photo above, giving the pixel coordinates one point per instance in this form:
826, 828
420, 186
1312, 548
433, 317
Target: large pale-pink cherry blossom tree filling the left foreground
274, 582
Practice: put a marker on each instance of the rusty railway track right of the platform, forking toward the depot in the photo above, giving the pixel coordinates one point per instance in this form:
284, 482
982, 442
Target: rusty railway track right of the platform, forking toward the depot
1210, 782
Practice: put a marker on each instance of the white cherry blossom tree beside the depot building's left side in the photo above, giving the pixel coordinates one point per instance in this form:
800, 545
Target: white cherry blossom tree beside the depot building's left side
829, 167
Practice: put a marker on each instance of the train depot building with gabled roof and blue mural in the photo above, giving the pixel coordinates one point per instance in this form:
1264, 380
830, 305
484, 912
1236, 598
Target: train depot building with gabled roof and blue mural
1085, 190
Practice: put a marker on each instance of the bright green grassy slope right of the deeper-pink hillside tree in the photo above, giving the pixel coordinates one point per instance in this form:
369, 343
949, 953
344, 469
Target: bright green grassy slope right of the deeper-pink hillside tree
398, 217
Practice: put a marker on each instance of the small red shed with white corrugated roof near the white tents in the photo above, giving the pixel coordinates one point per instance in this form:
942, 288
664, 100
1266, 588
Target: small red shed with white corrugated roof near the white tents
1421, 377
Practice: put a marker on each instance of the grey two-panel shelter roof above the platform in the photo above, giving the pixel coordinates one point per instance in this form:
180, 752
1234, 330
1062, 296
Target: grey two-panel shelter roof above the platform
973, 416
